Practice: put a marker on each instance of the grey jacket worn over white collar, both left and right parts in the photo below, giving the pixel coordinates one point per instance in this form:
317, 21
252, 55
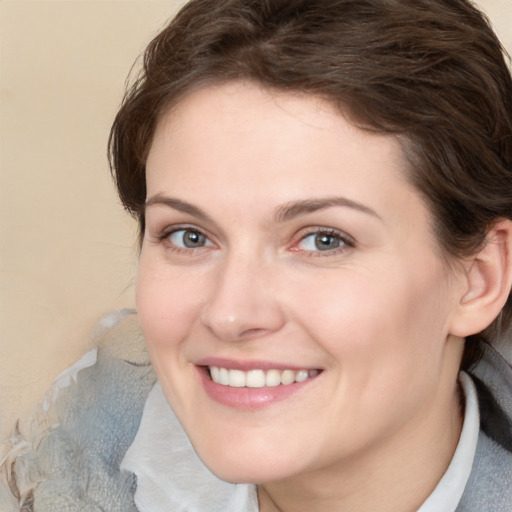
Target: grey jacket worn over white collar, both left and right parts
69, 461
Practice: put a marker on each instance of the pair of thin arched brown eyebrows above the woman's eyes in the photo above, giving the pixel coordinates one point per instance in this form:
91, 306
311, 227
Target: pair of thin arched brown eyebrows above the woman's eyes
283, 213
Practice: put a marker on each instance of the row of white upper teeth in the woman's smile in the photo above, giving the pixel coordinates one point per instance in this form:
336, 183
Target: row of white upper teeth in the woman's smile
258, 378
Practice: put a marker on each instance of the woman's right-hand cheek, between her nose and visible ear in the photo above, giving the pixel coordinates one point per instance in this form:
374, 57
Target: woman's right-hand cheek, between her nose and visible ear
392, 317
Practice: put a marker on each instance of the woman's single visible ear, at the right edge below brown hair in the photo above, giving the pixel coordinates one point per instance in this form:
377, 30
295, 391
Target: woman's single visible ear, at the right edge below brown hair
487, 283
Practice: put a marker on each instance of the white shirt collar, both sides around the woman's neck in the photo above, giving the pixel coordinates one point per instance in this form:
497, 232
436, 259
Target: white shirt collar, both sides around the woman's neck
185, 484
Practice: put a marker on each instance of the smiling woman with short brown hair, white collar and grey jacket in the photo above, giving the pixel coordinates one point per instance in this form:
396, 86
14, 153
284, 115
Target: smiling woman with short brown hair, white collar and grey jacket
324, 194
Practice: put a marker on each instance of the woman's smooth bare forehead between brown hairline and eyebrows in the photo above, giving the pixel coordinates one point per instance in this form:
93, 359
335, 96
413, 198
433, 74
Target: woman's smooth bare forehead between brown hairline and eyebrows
266, 129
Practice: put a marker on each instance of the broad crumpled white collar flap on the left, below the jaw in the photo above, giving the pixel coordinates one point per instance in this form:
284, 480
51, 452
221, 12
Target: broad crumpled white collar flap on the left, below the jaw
170, 476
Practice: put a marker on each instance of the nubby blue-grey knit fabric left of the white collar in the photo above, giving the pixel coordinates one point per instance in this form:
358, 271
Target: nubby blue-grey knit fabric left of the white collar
79, 459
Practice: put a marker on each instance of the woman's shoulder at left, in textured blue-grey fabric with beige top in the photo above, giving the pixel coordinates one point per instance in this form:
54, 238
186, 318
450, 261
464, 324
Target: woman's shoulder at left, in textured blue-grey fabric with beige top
69, 460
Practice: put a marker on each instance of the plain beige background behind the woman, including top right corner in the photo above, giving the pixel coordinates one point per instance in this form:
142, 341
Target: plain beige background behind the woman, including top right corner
67, 251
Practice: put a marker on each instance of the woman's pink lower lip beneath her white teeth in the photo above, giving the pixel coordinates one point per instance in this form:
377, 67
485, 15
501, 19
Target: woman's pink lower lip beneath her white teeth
249, 399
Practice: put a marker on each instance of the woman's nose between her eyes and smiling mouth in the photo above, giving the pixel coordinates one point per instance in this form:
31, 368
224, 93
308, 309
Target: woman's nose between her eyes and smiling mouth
243, 303
